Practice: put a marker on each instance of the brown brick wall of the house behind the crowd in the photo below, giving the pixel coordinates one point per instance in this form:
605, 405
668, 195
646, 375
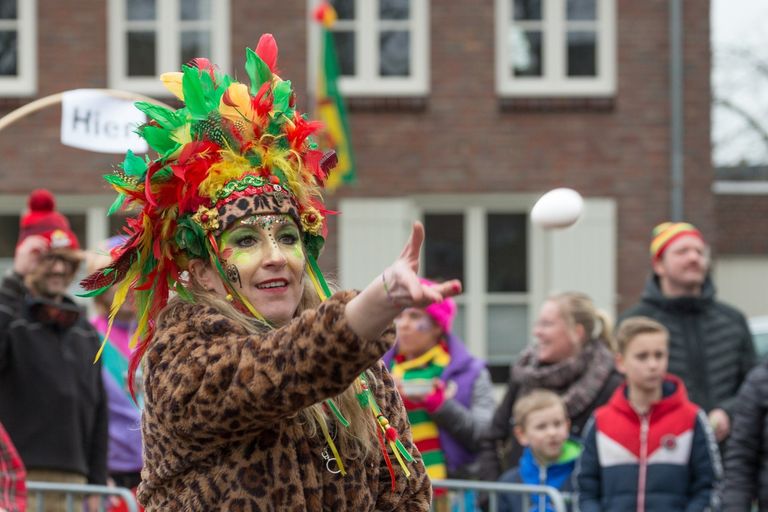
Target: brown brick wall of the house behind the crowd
461, 138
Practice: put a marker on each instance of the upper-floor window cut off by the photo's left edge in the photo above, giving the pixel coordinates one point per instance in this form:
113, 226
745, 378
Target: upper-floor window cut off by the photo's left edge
18, 51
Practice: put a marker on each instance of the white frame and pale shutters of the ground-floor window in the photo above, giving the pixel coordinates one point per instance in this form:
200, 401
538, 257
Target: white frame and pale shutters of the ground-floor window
583, 257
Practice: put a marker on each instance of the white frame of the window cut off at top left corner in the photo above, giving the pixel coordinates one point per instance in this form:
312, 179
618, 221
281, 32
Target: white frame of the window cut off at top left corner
25, 81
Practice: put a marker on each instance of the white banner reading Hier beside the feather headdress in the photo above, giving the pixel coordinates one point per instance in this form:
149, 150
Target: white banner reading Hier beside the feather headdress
95, 121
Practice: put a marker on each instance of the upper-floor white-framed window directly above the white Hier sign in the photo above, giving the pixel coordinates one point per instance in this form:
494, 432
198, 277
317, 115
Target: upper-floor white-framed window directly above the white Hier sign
150, 37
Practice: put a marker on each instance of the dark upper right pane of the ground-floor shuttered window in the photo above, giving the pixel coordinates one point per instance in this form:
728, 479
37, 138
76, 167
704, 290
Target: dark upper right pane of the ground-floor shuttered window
507, 252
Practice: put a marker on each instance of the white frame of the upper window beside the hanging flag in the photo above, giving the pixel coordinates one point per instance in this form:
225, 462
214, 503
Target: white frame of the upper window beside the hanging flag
366, 27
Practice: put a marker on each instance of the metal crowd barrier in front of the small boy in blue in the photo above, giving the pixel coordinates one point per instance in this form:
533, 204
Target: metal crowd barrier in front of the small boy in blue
493, 489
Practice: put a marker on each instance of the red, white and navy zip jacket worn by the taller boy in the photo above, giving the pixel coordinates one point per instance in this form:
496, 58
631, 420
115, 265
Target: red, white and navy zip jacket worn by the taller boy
665, 460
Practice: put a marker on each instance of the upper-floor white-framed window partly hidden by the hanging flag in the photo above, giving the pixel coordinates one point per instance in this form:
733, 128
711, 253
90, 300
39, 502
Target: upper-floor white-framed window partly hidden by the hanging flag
381, 46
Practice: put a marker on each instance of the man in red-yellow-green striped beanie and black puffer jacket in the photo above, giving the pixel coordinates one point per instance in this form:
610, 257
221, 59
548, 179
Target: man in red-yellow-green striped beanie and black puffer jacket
711, 347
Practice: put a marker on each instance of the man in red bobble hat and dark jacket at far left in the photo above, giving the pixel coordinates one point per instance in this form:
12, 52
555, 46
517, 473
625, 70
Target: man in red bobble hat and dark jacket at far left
52, 399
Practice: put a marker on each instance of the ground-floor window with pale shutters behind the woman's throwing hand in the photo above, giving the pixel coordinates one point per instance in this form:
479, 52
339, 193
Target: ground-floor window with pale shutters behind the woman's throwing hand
508, 267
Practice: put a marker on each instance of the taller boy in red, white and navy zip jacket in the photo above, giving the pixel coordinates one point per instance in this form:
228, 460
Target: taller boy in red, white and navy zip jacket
649, 448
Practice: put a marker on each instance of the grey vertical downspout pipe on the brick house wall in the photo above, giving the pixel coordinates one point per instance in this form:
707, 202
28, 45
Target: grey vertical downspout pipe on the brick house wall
677, 128
